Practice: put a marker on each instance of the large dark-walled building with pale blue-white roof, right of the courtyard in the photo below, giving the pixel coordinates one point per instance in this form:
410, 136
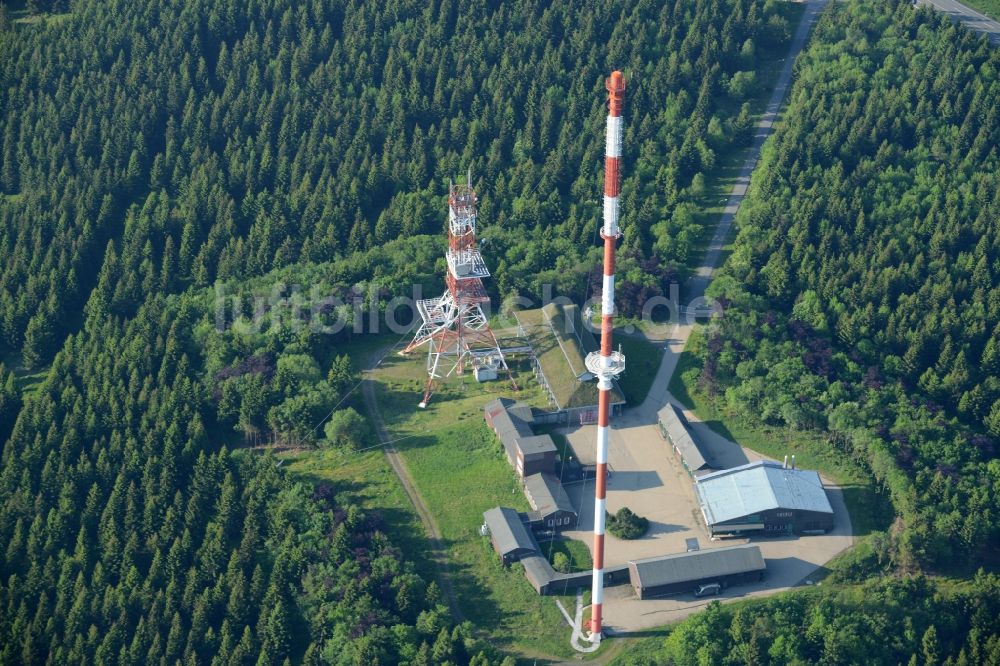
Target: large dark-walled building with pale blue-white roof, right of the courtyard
764, 497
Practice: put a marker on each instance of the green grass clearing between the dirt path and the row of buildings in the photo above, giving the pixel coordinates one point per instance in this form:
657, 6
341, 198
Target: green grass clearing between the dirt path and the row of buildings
459, 467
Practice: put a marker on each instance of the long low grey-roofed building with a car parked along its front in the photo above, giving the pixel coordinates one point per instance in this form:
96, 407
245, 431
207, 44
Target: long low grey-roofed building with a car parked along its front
684, 572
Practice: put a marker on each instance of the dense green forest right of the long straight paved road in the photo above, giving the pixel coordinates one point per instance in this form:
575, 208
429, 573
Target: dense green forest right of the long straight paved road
862, 289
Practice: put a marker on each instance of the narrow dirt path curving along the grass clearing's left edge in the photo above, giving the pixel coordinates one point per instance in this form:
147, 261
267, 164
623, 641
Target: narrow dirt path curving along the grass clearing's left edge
437, 551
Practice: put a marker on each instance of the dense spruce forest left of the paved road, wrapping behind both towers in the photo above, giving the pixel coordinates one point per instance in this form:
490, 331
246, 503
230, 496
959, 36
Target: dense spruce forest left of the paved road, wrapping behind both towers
149, 150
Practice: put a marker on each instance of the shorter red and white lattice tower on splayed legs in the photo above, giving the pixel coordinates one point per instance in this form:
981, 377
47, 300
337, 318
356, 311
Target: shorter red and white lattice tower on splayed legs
454, 326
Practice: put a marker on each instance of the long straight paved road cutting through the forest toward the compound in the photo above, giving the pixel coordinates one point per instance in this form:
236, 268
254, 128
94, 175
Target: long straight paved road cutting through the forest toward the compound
703, 274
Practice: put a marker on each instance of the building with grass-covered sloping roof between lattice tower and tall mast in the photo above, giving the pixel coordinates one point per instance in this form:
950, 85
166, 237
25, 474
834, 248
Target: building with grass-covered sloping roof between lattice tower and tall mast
560, 342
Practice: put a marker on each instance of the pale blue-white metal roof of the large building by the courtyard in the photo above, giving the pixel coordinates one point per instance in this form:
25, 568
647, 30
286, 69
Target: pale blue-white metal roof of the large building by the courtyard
758, 486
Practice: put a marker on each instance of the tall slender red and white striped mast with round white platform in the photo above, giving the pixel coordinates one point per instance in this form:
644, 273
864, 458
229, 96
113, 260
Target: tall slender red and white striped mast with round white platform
607, 364
